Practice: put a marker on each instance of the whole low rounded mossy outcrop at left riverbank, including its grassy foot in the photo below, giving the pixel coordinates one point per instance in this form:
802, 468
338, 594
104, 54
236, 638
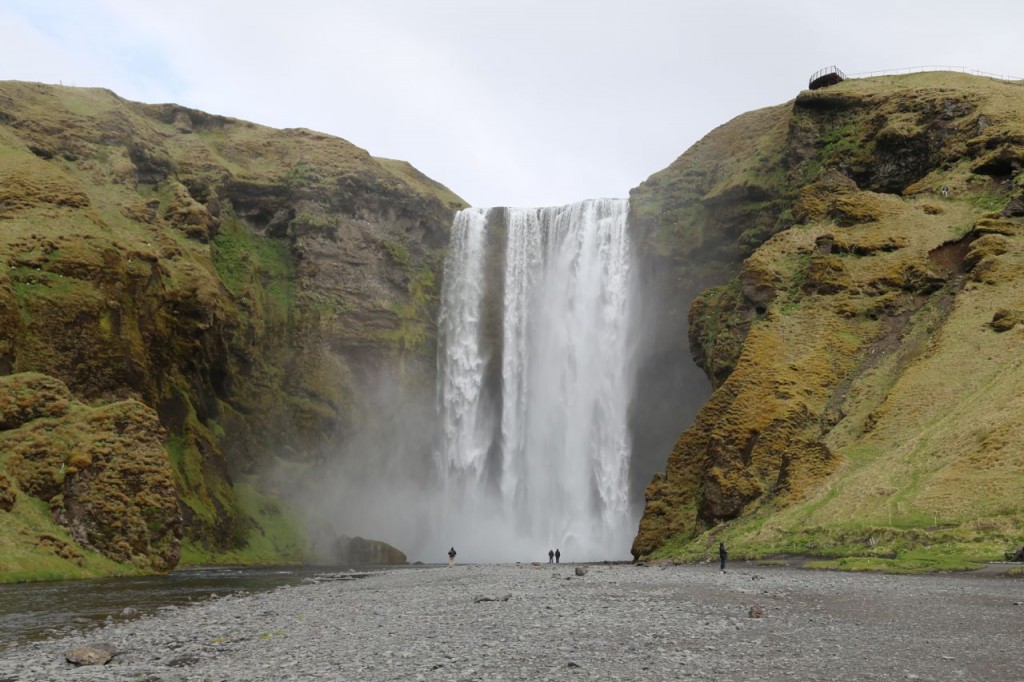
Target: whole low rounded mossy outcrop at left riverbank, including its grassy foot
101, 473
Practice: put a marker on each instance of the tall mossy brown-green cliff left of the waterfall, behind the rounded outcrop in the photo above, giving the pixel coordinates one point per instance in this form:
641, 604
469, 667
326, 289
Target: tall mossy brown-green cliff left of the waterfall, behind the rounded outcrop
248, 286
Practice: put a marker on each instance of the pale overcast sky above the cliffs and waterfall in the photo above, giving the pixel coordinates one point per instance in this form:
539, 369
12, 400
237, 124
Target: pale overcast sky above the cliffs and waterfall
519, 103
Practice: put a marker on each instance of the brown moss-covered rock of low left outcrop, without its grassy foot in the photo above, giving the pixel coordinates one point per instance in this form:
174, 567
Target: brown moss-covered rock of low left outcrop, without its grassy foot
103, 471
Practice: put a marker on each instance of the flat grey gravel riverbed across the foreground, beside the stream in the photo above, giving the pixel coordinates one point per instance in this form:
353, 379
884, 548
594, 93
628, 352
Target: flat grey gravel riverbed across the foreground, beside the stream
541, 622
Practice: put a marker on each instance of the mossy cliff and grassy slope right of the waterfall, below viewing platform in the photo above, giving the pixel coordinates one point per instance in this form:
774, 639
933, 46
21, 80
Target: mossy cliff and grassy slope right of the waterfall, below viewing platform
866, 245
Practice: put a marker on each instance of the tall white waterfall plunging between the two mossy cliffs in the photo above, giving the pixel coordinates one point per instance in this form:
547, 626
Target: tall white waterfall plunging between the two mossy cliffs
535, 381
